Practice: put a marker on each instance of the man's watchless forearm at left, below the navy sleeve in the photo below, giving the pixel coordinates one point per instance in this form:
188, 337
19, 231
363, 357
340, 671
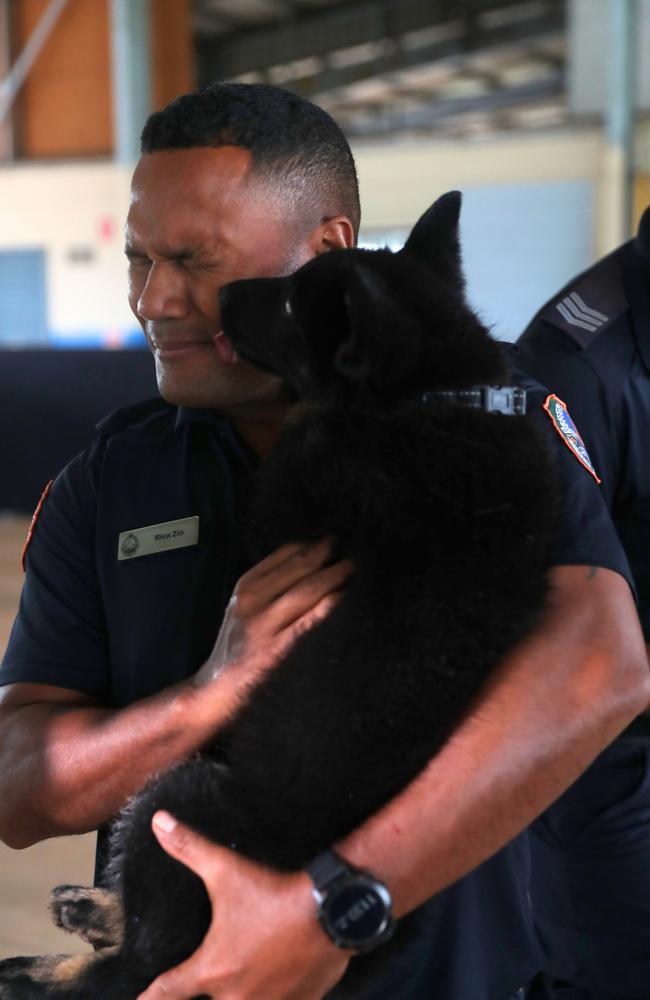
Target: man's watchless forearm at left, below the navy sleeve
86, 760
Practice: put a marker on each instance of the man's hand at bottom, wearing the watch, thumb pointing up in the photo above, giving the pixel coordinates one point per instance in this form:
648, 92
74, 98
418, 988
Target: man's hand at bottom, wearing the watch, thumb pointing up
264, 940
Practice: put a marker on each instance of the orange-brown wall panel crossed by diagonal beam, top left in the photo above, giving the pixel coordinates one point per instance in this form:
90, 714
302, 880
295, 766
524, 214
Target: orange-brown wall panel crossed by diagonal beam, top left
64, 108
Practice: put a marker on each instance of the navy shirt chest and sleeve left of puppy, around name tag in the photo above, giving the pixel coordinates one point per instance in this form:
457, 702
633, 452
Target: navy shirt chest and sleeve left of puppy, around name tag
121, 630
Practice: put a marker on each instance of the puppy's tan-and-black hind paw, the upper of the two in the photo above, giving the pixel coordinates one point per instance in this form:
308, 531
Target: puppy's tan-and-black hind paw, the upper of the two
95, 915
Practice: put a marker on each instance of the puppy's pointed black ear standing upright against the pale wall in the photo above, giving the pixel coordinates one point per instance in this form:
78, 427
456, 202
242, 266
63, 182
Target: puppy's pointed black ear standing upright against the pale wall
435, 242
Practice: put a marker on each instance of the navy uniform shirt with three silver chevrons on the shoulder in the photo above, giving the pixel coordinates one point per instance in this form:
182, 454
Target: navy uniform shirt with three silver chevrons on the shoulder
591, 345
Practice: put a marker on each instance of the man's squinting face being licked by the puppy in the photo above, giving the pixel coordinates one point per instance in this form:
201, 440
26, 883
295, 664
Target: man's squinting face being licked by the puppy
196, 222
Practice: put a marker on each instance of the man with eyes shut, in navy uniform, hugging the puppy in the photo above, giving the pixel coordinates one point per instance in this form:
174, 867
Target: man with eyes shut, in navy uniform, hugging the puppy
113, 672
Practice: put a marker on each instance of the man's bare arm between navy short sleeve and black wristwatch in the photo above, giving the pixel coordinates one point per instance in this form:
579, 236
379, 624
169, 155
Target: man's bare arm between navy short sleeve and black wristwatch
560, 698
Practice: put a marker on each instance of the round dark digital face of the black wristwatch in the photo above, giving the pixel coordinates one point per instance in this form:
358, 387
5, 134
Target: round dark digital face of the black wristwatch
358, 912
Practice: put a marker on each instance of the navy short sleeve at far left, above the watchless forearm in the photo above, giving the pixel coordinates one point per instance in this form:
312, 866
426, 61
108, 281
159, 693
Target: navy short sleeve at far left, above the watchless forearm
59, 635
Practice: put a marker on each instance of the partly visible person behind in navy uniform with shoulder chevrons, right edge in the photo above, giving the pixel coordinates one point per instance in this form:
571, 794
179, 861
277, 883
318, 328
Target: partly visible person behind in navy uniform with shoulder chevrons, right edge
591, 850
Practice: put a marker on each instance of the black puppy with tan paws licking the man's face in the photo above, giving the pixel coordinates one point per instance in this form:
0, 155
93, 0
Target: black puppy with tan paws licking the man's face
447, 513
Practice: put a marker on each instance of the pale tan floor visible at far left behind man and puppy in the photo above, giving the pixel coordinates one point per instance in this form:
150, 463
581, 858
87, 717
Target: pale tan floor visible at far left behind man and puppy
26, 877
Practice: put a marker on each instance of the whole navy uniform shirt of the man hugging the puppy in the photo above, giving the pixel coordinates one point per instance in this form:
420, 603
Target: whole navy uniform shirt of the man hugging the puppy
123, 629
